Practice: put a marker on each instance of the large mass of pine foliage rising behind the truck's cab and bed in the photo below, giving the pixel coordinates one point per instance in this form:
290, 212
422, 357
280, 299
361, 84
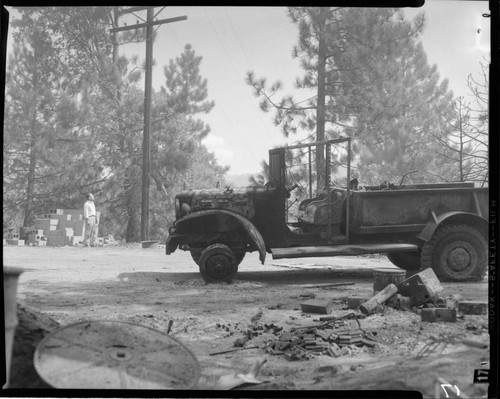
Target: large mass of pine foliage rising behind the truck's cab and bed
371, 72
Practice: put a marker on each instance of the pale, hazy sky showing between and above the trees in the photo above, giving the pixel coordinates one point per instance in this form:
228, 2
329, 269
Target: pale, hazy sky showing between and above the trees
235, 40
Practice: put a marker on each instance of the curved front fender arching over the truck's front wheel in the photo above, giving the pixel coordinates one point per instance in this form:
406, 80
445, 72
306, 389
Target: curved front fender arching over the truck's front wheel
227, 219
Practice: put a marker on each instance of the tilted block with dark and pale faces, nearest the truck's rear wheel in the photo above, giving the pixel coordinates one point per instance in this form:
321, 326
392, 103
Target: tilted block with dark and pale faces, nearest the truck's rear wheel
421, 287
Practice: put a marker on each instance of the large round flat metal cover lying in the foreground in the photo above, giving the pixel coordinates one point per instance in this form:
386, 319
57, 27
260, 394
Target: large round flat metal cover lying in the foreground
114, 355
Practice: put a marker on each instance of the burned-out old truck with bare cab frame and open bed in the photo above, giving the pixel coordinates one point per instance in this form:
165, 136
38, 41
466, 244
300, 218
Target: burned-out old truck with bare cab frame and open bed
308, 211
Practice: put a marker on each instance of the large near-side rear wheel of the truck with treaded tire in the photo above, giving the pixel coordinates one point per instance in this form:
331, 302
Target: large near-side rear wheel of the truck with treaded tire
456, 252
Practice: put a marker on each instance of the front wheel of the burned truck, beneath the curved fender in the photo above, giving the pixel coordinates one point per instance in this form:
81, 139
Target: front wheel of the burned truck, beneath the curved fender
218, 264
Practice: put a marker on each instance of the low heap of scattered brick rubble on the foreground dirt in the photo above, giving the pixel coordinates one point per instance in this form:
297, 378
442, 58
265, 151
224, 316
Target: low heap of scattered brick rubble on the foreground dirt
331, 338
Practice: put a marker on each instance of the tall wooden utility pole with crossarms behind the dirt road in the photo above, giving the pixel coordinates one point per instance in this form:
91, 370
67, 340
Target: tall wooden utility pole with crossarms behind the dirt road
147, 104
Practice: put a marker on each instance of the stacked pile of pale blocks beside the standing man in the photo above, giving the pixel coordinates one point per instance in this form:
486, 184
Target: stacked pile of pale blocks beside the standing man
58, 228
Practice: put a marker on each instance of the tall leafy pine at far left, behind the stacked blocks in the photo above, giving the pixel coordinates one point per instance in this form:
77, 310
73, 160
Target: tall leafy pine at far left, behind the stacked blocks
40, 131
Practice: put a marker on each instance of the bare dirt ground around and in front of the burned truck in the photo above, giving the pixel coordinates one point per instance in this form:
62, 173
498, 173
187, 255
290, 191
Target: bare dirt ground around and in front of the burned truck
65, 285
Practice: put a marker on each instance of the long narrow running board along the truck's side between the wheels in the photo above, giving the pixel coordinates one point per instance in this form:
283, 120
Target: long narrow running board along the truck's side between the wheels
349, 250
